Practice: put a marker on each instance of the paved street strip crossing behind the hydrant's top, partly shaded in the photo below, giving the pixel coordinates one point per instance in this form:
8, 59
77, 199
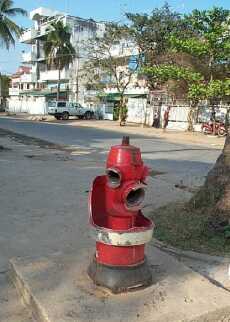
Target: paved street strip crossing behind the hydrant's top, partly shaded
189, 163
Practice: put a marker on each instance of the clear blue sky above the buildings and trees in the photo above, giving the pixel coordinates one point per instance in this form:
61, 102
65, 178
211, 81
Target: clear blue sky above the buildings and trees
106, 10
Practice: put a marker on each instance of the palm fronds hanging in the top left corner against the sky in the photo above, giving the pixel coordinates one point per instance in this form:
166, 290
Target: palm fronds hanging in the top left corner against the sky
9, 29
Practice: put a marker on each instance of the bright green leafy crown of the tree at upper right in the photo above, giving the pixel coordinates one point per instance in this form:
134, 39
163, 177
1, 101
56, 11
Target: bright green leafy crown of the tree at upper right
208, 41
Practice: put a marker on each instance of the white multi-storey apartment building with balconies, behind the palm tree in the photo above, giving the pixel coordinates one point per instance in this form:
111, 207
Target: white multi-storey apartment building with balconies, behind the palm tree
40, 83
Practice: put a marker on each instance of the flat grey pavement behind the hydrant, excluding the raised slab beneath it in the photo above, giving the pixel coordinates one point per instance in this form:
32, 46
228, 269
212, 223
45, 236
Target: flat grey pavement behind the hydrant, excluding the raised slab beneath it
44, 206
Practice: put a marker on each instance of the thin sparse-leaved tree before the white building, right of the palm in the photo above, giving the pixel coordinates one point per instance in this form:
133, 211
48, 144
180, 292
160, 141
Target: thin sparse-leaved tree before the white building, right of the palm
106, 66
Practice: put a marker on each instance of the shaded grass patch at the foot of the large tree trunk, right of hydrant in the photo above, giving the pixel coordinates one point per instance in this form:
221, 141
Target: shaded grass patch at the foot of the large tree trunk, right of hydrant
179, 226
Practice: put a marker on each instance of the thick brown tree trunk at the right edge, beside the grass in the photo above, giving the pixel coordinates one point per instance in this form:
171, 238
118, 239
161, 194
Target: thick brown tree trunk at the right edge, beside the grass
215, 194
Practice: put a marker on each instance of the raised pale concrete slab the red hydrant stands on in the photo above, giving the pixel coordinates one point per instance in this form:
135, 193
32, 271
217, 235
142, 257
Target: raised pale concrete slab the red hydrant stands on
58, 289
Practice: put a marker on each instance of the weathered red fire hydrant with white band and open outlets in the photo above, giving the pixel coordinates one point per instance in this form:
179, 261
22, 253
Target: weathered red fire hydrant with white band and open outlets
118, 225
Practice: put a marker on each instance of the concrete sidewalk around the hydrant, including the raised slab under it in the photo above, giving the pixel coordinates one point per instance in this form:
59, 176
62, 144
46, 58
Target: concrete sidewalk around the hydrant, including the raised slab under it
44, 226
